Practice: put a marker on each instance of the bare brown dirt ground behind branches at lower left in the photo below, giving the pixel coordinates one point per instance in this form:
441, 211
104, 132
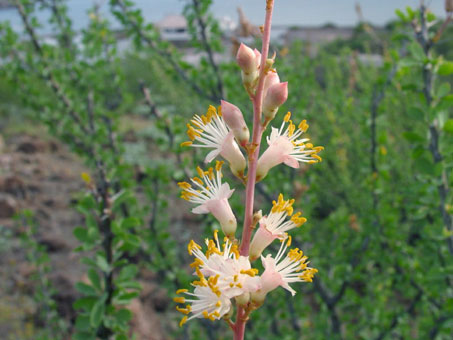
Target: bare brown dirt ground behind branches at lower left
41, 175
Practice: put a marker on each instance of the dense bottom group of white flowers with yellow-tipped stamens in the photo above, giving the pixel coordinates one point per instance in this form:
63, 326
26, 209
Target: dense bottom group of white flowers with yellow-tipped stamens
223, 274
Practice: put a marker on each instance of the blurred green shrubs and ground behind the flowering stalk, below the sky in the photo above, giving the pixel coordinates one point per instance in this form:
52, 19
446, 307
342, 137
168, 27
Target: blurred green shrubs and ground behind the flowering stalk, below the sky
93, 234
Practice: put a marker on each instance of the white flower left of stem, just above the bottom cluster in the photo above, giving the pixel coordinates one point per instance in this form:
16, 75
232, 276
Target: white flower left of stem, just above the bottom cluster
212, 196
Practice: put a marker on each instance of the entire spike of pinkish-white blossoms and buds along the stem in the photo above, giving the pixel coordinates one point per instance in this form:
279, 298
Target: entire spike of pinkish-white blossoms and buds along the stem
224, 274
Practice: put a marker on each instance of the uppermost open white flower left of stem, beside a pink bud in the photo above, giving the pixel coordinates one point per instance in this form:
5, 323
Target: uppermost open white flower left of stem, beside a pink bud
210, 131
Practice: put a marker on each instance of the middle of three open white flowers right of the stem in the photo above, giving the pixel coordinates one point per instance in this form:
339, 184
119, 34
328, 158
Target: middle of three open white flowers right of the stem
275, 225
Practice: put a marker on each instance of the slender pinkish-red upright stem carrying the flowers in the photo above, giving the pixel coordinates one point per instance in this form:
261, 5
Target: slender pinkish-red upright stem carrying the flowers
257, 99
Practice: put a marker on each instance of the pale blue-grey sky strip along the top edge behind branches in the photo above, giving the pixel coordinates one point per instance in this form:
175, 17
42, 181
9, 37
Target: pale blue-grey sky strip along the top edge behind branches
291, 12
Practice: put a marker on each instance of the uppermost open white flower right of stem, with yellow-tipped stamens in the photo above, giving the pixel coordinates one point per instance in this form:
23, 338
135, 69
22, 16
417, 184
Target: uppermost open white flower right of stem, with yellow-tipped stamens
286, 147
